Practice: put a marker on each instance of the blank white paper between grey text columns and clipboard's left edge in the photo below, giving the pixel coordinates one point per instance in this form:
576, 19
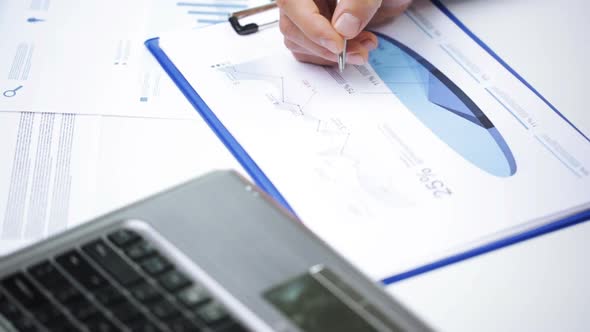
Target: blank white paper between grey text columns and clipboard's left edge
140, 157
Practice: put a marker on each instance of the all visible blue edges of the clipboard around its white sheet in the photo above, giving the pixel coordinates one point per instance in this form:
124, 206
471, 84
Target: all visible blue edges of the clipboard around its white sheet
263, 182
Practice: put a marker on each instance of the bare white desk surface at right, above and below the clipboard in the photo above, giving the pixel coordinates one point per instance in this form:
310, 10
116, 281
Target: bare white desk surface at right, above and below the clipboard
541, 284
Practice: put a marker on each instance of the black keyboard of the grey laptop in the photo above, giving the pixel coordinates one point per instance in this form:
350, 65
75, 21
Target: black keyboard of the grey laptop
116, 283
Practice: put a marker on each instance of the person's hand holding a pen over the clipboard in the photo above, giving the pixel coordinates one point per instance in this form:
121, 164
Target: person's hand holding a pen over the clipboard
314, 31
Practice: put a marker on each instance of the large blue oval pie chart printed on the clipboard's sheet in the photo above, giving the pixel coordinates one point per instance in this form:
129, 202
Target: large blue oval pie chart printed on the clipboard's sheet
442, 107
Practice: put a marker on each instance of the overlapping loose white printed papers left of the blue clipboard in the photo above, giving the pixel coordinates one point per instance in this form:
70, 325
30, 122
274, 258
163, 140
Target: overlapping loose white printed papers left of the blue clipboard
89, 121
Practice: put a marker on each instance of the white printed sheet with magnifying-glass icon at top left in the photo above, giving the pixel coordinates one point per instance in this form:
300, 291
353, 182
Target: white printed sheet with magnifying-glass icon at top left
67, 56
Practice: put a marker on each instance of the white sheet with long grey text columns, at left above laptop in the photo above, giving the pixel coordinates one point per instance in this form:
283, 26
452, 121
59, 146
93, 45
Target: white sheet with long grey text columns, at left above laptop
48, 174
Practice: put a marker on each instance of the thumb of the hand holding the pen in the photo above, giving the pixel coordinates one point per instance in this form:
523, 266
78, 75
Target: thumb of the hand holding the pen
352, 16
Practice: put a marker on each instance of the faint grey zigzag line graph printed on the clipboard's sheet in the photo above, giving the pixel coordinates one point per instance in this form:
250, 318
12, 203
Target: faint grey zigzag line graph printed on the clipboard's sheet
340, 156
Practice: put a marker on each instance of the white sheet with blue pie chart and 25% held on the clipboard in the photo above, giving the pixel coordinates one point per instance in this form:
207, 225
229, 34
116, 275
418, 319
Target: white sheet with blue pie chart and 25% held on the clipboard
431, 149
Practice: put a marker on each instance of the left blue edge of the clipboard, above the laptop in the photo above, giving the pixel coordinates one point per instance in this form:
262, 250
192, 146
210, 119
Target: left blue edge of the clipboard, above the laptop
218, 128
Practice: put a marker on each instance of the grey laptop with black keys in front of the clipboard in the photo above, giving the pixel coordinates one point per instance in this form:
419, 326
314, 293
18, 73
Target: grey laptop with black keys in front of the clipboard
213, 254
